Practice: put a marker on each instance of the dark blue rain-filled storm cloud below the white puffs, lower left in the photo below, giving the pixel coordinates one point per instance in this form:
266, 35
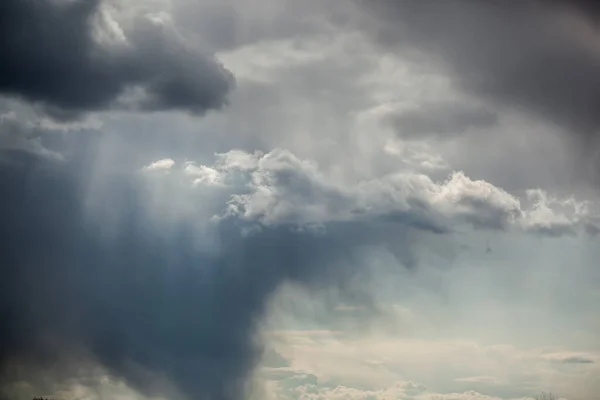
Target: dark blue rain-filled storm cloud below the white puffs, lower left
144, 300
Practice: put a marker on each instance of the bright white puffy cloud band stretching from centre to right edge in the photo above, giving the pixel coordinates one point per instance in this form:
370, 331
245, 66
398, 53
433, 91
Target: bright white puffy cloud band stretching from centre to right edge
286, 190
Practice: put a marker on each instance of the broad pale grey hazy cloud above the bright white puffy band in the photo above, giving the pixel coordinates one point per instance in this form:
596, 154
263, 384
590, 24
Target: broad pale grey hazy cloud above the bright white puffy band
332, 93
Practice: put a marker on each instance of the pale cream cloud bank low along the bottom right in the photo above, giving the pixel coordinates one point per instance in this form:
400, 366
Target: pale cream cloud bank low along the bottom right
420, 369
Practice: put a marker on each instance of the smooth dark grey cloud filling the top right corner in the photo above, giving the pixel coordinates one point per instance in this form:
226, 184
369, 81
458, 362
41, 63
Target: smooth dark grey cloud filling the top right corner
539, 56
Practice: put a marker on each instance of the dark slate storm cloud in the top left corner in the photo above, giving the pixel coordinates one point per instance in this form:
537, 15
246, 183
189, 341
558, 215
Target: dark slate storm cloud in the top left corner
49, 55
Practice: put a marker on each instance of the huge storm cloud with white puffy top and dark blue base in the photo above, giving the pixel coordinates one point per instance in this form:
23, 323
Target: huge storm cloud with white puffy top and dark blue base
147, 282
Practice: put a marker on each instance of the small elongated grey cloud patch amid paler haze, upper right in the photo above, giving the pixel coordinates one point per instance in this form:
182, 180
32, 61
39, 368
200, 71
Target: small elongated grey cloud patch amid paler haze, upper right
443, 120
